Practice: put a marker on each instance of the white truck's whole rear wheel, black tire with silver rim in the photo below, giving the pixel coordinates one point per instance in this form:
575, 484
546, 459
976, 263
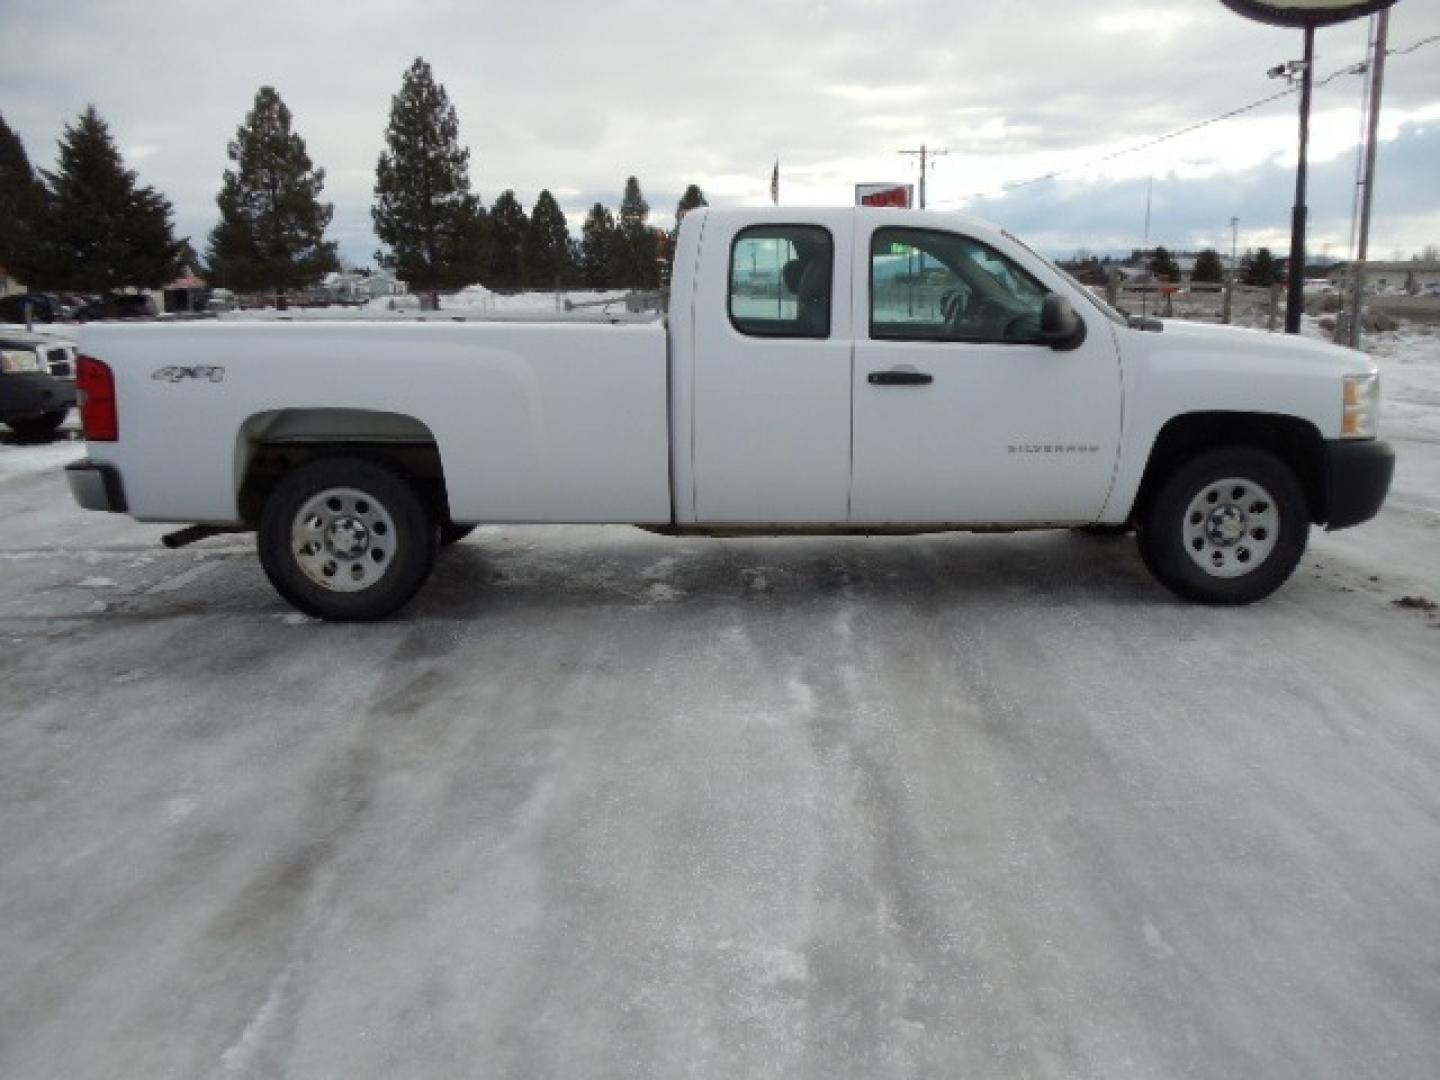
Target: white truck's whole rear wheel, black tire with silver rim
388, 525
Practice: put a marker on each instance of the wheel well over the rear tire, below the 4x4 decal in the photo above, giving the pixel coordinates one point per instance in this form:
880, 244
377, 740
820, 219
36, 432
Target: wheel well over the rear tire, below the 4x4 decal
271, 444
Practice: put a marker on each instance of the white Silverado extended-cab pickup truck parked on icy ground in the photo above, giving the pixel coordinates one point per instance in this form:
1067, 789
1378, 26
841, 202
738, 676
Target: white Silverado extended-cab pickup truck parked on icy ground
832, 371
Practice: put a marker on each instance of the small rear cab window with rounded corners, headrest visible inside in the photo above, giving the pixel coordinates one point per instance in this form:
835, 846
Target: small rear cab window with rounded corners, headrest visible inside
781, 282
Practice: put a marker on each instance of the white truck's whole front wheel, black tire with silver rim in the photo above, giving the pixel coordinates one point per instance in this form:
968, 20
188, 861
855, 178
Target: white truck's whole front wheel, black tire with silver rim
1226, 544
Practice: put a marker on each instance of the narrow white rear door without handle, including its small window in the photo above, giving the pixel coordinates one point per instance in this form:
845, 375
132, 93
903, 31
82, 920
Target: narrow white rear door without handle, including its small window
773, 372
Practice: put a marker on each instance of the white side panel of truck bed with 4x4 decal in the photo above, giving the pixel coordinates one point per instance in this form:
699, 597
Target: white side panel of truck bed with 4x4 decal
557, 421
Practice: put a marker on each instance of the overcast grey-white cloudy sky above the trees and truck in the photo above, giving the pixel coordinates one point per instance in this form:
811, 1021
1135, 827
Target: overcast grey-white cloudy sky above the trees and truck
577, 96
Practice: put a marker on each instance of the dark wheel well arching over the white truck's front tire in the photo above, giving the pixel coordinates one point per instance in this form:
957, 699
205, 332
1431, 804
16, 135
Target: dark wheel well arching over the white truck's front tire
1295, 441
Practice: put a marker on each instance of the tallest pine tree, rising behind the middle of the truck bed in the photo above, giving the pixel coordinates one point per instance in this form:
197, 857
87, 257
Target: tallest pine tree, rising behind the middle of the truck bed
424, 212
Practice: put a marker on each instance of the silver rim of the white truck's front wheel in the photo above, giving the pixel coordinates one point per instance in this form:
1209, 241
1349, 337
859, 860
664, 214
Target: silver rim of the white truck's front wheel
1232, 528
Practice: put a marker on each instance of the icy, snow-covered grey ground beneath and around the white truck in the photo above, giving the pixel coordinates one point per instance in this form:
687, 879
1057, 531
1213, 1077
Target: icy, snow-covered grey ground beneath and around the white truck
611, 806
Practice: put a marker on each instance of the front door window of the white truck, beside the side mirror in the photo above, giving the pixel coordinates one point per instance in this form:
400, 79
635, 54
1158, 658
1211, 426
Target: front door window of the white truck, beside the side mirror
928, 286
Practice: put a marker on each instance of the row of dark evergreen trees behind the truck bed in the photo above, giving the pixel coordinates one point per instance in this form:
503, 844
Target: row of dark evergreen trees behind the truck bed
90, 227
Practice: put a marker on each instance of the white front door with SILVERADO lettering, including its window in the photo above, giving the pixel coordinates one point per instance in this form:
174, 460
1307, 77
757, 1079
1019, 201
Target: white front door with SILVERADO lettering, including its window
961, 414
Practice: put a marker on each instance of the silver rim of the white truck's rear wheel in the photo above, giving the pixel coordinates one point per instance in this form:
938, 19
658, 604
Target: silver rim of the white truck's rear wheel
343, 539
